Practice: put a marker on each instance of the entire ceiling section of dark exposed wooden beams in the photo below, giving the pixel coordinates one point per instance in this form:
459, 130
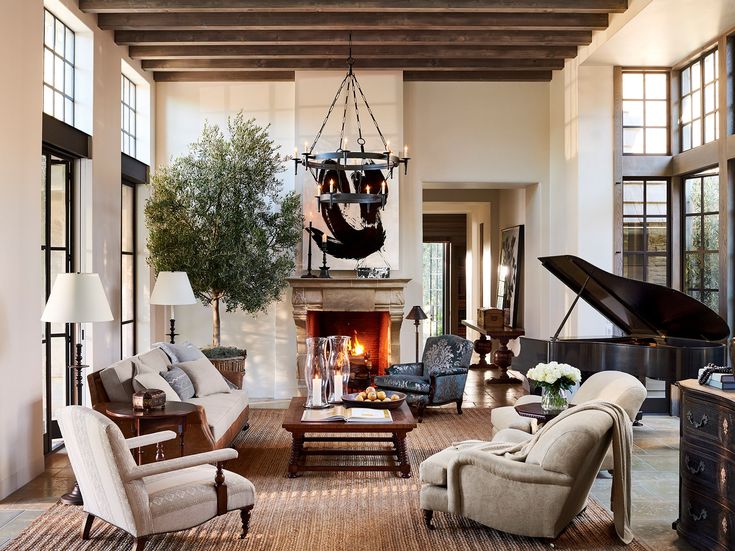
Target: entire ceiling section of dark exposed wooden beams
471, 40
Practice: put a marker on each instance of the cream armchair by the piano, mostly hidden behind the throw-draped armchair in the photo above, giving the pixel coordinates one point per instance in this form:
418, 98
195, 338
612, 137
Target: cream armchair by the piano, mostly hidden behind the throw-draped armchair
616, 387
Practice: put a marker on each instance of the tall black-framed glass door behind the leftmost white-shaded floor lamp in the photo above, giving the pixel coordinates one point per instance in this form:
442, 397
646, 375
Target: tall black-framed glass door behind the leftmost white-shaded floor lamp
58, 257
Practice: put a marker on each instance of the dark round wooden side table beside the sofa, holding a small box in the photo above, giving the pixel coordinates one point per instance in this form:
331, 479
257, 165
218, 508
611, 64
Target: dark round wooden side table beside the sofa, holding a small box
173, 414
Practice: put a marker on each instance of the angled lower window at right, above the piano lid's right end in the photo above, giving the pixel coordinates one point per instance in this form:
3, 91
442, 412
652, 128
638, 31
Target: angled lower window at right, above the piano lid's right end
702, 237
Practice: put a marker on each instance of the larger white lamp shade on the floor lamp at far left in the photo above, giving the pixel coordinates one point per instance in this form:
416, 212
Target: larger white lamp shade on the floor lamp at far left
77, 298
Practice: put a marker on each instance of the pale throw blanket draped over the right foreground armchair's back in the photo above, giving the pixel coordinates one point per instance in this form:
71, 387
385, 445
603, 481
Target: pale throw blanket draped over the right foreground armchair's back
622, 440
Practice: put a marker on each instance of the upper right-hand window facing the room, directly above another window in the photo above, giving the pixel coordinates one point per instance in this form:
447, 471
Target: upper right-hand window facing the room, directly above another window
645, 113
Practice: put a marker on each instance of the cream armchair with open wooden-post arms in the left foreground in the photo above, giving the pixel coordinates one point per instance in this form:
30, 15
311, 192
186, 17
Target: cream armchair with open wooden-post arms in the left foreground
167, 496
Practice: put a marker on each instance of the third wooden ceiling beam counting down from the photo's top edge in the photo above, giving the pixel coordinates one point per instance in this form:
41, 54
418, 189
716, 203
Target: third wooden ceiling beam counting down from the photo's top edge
375, 38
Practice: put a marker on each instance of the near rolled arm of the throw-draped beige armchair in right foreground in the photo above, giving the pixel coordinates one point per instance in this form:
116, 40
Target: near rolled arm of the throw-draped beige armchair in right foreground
502, 467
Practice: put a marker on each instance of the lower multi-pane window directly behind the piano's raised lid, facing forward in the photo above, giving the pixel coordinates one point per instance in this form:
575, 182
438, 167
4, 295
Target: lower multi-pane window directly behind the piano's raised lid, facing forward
645, 230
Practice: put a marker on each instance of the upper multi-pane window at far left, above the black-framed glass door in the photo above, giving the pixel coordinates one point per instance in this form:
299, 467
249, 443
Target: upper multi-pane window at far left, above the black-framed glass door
58, 69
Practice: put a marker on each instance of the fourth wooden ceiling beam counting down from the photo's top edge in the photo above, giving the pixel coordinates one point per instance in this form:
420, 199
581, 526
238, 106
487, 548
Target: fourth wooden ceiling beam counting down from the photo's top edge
341, 52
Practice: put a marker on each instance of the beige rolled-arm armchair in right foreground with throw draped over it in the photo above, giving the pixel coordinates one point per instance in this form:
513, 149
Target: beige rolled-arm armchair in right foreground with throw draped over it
537, 497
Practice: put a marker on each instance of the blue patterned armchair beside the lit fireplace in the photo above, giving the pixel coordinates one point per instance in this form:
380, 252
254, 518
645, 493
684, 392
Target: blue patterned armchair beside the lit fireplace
438, 379
